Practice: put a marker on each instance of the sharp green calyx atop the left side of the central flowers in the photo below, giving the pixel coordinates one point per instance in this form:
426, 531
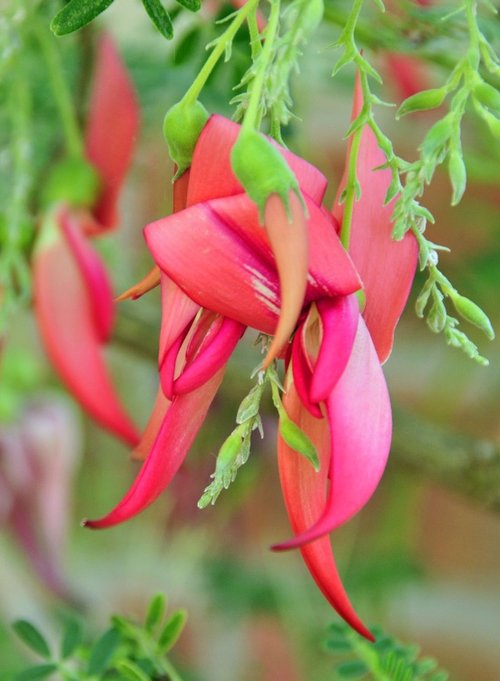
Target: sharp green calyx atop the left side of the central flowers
182, 126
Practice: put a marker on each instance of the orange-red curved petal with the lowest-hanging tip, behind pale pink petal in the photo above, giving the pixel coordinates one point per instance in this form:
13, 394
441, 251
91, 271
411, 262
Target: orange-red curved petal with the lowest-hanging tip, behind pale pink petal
304, 493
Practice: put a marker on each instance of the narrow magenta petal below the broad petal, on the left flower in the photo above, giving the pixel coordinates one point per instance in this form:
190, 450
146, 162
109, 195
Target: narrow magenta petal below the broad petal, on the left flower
211, 358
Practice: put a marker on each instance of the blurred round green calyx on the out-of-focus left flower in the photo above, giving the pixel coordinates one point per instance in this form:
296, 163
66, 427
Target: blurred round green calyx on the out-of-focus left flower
74, 181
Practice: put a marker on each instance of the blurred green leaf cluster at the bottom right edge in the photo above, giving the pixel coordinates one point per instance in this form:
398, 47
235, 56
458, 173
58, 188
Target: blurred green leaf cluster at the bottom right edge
385, 660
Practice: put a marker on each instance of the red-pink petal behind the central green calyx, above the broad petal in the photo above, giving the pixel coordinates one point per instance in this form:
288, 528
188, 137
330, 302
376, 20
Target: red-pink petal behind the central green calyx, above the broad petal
212, 175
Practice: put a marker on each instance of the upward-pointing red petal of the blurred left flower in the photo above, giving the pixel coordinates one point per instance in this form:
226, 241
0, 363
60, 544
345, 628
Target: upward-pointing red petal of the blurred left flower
113, 121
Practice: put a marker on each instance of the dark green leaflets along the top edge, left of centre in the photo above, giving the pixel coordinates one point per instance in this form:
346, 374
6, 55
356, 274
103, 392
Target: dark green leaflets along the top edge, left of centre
79, 13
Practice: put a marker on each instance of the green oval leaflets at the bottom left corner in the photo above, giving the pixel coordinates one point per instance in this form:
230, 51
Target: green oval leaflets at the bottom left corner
136, 652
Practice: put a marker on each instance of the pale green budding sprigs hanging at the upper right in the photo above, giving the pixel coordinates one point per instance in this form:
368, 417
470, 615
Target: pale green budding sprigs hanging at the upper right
467, 83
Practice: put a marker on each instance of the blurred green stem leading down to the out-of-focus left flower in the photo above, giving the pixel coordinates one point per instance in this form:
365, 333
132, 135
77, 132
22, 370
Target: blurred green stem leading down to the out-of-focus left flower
62, 97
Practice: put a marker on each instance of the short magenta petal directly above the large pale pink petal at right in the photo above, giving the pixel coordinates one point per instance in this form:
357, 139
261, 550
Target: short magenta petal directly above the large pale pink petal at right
339, 320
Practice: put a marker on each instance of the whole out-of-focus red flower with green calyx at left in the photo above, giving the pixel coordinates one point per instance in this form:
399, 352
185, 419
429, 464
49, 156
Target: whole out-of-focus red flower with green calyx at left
73, 294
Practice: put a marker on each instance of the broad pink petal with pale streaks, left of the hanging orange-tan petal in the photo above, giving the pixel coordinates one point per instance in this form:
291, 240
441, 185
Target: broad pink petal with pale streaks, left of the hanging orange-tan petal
215, 267
